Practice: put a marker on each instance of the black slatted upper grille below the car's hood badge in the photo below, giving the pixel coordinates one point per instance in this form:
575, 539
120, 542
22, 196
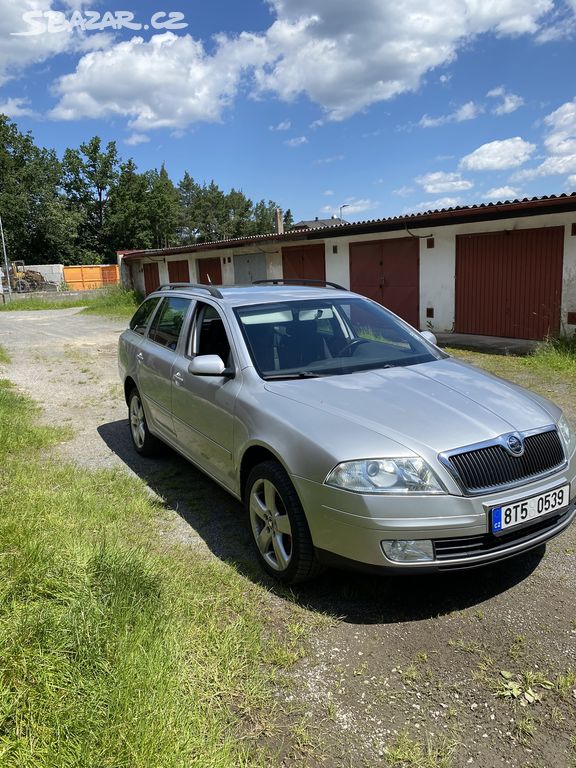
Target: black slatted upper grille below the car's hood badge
493, 466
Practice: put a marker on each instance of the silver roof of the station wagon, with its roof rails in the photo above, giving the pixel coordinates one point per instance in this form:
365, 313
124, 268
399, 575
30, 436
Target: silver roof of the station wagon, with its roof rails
242, 295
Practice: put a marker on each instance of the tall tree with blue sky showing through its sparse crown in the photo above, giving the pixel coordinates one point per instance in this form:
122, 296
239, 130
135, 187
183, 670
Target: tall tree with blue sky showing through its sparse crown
88, 175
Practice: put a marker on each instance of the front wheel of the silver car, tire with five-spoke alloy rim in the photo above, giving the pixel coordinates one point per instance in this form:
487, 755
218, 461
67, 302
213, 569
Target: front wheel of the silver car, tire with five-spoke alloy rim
278, 525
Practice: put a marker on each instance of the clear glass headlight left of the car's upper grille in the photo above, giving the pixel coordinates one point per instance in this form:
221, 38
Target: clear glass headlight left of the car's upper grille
398, 475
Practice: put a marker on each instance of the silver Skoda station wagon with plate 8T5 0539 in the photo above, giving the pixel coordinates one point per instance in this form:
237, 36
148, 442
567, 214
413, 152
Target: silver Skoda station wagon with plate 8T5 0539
349, 436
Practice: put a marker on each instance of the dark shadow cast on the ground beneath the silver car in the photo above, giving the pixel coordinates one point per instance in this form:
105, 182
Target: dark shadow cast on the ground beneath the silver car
353, 597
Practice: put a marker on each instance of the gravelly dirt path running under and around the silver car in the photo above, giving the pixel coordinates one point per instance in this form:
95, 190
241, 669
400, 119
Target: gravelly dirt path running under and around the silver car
467, 669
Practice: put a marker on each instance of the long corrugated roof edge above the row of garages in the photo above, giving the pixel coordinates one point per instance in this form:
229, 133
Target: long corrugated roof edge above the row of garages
458, 215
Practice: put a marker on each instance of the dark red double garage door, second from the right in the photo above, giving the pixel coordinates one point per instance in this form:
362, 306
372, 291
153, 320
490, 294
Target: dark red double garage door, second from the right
388, 271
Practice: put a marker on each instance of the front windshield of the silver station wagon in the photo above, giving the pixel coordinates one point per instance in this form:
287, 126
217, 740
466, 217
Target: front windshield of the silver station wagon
303, 339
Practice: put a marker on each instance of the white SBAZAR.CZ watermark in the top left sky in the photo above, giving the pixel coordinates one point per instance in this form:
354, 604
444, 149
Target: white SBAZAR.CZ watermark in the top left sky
41, 22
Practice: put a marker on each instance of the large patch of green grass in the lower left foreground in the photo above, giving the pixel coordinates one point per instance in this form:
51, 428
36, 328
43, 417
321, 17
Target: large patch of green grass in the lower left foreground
115, 651
